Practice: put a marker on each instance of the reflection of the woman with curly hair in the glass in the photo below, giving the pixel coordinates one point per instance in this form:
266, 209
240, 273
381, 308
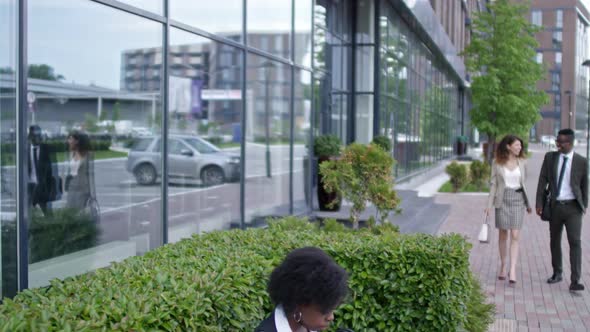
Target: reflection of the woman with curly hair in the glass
79, 181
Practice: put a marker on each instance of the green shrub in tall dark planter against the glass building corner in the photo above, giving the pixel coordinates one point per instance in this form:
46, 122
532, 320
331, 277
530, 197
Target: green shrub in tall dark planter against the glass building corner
325, 148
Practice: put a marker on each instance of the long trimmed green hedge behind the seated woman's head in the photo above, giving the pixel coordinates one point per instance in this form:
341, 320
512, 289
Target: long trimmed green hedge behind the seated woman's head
217, 282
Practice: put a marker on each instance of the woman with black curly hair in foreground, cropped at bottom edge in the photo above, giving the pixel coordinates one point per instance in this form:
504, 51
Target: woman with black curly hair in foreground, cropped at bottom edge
306, 288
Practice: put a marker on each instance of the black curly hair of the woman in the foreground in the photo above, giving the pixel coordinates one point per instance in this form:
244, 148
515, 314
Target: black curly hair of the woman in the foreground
308, 276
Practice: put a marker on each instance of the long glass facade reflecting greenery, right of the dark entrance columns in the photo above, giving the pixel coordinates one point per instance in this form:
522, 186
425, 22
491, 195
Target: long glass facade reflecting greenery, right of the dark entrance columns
421, 110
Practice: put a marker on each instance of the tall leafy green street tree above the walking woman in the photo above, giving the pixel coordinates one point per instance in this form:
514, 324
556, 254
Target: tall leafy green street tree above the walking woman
502, 49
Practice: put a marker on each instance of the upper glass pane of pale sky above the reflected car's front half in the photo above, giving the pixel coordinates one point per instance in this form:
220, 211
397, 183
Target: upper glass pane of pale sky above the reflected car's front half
220, 17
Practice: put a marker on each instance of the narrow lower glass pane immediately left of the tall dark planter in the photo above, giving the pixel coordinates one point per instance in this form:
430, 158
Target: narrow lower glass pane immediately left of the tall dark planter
301, 151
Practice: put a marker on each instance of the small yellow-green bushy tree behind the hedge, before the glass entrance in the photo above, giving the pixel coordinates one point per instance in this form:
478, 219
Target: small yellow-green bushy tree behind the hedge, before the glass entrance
362, 174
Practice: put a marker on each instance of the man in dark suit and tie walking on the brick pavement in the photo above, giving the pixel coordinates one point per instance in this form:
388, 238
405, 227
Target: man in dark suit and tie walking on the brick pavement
566, 172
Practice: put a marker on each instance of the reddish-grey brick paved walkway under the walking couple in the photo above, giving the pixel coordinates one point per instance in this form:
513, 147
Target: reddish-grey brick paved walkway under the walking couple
533, 305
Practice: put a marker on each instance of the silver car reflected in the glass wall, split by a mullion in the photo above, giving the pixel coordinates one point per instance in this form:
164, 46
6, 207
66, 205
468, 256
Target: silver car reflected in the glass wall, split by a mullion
189, 157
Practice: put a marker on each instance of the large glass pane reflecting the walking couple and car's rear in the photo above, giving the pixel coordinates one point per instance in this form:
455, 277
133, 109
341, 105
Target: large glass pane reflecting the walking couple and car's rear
97, 93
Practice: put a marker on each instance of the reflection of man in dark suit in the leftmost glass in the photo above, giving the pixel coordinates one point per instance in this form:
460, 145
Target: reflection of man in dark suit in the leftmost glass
43, 187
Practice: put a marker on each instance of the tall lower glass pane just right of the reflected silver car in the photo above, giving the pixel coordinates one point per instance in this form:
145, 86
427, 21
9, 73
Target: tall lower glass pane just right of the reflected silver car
267, 138
